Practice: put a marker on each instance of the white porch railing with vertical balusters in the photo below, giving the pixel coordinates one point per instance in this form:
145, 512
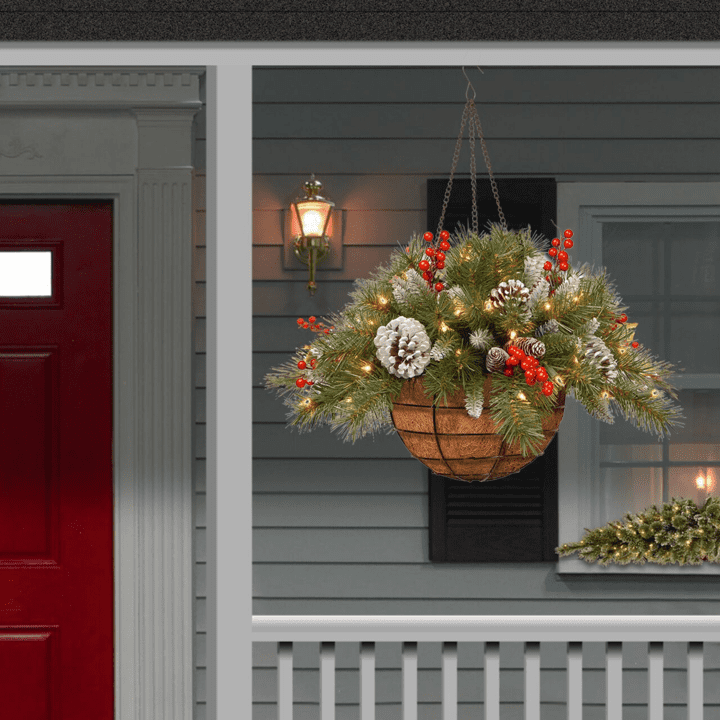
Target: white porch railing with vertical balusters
532, 631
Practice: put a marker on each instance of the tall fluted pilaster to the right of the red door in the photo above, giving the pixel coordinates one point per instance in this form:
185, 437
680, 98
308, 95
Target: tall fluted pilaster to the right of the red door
165, 453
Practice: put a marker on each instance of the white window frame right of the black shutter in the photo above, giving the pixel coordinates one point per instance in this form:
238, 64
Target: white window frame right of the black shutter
584, 207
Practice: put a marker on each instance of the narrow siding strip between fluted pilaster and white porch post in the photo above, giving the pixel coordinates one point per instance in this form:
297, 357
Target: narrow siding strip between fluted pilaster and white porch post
199, 389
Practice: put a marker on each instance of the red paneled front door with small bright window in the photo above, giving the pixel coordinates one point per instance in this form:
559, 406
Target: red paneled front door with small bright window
56, 495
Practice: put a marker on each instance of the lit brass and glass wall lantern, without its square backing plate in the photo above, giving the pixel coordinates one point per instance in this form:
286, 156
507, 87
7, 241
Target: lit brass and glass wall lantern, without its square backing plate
311, 227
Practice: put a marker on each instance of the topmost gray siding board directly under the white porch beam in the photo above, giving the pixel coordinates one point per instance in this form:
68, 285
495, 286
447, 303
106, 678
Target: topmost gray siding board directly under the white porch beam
522, 85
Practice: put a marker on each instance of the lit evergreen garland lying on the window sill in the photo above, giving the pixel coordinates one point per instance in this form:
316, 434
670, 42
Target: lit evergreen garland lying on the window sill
679, 532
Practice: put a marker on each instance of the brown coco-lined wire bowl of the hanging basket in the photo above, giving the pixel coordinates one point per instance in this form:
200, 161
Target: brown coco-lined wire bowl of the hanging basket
453, 444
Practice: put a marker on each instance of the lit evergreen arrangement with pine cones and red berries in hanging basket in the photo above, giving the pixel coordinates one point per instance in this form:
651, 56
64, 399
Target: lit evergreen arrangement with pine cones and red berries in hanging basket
455, 310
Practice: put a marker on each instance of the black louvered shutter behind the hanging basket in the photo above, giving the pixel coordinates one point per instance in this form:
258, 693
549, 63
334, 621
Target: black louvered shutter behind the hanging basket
514, 519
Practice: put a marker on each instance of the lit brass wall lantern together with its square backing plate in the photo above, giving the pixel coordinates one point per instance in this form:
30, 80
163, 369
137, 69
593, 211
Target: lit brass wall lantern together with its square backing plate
313, 233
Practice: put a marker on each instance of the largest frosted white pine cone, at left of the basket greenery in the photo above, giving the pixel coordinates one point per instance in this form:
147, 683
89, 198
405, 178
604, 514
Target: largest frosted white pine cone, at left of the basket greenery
403, 347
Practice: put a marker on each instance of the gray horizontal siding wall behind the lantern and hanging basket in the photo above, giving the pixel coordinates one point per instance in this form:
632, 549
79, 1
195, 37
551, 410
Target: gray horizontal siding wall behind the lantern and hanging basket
342, 529
